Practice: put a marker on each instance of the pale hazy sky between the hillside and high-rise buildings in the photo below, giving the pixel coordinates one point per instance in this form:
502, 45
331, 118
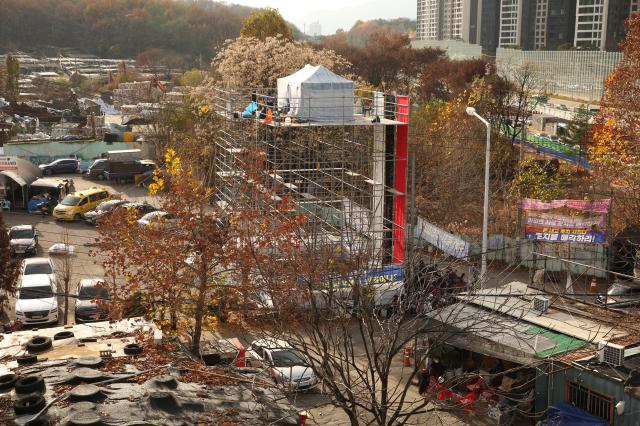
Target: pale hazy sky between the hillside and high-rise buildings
334, 14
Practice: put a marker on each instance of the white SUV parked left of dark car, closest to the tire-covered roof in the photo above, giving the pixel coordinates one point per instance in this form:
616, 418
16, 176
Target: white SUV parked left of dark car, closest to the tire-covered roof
36, 301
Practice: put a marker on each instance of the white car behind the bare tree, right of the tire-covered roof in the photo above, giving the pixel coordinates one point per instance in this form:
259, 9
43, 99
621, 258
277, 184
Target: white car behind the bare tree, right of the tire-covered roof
287, 366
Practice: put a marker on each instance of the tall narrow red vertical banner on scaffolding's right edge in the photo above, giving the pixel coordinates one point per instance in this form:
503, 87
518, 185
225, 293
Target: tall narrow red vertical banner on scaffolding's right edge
400, 199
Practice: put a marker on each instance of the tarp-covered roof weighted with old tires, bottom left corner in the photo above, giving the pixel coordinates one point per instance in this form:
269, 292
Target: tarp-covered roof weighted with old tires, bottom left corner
125, 373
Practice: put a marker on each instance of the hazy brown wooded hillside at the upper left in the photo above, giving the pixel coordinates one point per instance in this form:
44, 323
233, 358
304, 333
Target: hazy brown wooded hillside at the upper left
186, 29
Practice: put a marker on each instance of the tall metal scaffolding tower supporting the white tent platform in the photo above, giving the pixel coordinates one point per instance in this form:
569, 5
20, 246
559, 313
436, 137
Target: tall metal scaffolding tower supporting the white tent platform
346, 172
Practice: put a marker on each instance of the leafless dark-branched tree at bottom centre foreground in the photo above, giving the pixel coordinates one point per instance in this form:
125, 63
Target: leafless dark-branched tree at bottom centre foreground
354, 325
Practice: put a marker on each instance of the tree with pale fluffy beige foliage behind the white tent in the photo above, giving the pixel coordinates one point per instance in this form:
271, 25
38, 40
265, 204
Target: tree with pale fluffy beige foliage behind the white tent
249, 62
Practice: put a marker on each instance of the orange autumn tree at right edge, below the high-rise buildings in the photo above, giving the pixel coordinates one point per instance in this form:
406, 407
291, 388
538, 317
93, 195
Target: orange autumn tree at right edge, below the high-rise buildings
615, 151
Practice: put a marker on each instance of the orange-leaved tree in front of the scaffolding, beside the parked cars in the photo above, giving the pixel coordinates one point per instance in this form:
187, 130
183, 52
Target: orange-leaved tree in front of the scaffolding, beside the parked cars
194, 266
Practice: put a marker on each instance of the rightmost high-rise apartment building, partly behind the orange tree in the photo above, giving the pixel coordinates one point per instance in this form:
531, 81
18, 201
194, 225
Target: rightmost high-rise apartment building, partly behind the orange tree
600, 23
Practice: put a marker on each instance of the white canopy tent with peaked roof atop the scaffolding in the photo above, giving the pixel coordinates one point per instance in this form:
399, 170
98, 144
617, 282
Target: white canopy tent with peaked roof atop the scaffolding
317, 94
